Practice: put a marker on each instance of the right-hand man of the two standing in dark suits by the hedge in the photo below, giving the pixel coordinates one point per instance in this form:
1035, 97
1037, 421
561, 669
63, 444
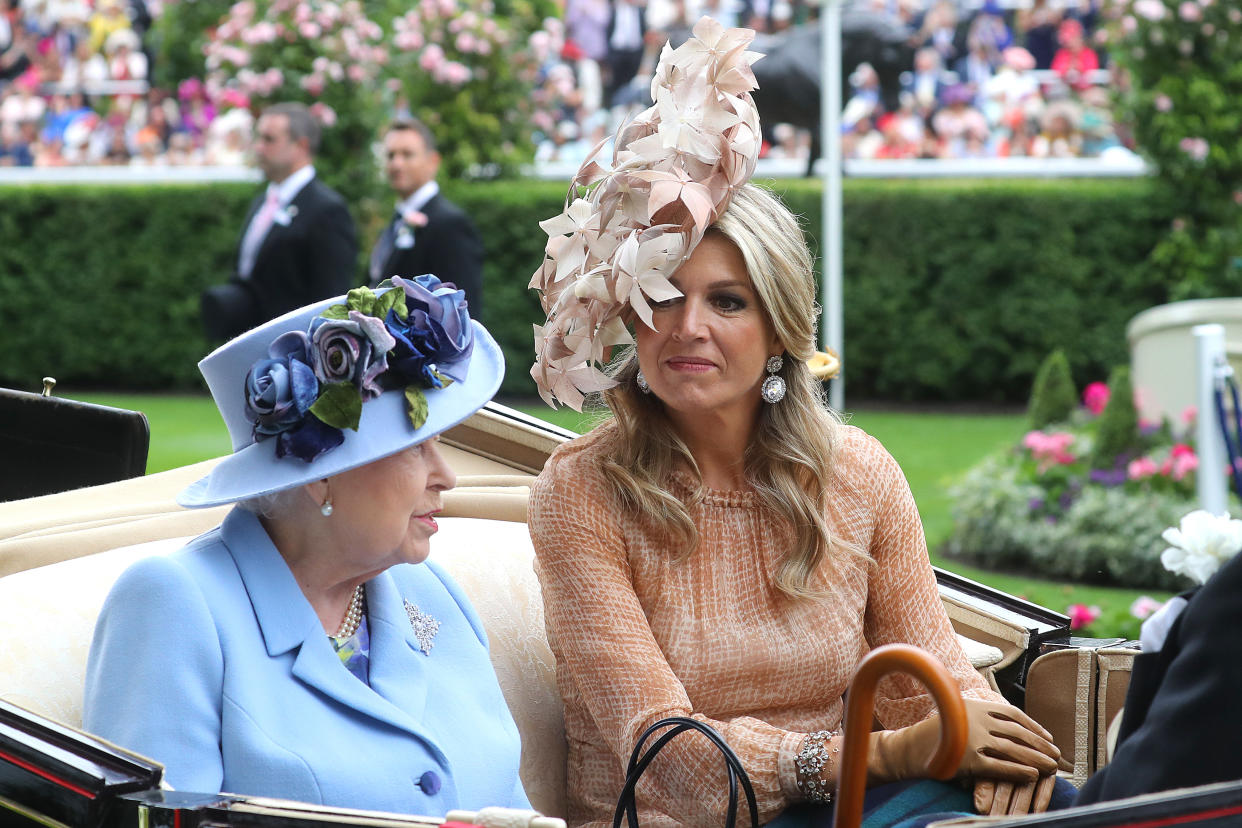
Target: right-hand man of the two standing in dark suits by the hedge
429, 234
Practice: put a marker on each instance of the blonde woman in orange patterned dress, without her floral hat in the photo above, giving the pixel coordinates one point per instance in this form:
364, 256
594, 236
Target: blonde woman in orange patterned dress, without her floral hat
721, 552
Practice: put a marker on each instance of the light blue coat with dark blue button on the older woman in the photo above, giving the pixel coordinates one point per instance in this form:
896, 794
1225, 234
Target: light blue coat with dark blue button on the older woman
213, 662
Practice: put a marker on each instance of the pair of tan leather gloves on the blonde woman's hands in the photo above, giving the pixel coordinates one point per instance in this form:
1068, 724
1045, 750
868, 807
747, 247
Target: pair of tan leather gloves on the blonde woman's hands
1003, 743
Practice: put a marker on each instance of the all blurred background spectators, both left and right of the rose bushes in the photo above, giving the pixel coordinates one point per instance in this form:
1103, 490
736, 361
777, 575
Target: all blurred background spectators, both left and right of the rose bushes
983, 81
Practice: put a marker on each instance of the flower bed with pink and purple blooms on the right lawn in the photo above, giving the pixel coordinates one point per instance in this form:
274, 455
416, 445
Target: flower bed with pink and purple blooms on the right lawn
1053, 508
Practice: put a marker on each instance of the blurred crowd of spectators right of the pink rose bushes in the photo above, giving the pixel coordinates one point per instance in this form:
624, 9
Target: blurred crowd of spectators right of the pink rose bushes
983, 81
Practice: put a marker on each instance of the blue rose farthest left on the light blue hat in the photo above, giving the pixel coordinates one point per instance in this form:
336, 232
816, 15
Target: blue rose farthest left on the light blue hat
283, 388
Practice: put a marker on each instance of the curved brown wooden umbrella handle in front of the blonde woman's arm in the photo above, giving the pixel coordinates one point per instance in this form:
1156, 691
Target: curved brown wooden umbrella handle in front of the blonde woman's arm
861, 711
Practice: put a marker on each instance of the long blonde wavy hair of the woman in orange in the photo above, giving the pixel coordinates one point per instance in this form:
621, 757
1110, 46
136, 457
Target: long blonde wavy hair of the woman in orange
789, 460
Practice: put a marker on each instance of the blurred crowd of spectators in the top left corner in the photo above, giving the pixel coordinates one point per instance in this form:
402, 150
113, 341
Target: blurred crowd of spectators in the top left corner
74, 90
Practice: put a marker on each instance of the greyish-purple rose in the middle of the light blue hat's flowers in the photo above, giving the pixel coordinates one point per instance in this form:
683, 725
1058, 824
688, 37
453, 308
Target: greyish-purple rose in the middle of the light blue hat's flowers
351, 351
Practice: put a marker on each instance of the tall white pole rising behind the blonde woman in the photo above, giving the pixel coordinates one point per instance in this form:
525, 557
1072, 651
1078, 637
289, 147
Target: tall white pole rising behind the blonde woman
833, 327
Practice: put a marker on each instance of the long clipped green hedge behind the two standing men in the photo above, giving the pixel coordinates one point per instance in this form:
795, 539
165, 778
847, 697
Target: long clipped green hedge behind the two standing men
953, 290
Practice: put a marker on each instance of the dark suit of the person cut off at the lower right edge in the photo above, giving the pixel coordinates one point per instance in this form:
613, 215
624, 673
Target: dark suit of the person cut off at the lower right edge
1183, 722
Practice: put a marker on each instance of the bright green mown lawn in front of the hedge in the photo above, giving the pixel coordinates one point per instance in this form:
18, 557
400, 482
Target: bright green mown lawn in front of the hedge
935, 449
